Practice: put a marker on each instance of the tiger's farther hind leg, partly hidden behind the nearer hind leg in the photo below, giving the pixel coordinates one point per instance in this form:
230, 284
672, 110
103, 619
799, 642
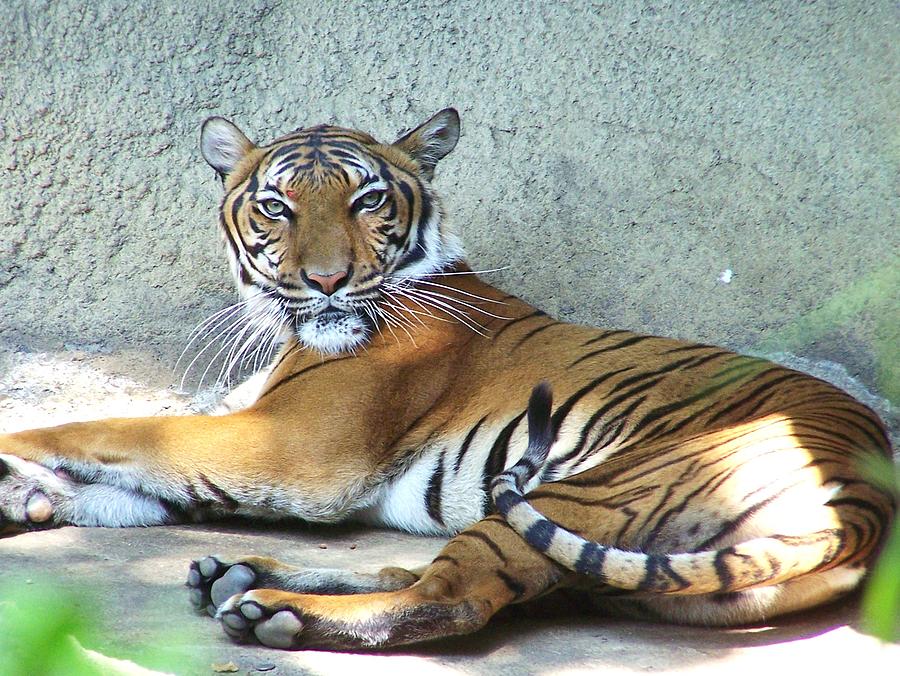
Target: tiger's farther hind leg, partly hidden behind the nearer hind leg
212, 581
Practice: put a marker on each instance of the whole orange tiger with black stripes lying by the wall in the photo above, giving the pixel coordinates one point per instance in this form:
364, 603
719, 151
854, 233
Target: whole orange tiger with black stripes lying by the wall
646, 476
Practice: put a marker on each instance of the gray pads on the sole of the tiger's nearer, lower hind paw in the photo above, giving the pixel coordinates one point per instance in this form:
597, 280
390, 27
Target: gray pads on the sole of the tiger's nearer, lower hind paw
243, 618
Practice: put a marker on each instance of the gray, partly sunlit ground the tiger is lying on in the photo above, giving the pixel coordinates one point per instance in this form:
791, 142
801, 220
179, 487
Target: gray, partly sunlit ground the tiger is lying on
132, 579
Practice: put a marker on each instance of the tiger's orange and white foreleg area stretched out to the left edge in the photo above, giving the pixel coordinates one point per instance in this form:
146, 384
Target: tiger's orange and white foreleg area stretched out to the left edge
146, 471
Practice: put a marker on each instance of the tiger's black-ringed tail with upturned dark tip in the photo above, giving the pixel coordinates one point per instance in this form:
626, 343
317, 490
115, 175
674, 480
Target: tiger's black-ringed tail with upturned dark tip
755, 562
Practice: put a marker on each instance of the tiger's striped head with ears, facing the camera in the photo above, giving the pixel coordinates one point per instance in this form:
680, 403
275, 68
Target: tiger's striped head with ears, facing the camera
320, 224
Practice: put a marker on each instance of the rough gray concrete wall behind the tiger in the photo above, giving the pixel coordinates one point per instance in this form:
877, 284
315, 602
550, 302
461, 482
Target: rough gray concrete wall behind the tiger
617, 158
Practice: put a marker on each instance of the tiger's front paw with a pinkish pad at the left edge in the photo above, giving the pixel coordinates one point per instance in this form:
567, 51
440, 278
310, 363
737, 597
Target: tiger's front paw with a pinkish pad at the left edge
31, 496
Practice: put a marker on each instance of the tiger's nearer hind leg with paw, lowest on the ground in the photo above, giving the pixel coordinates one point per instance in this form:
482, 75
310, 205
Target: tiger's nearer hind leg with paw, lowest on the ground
480, 571
